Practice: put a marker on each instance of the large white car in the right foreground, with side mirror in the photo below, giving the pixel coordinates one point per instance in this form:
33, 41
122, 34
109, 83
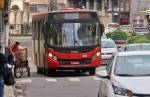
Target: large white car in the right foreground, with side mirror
126, 75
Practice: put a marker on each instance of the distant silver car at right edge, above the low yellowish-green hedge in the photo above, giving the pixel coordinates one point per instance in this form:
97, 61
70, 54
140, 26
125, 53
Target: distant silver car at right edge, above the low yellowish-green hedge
140, 31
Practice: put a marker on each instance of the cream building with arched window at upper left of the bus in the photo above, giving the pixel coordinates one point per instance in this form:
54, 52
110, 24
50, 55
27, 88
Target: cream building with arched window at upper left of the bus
19, 17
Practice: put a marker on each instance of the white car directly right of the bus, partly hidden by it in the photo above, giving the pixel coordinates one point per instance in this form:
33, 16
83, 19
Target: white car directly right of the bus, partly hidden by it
108, 48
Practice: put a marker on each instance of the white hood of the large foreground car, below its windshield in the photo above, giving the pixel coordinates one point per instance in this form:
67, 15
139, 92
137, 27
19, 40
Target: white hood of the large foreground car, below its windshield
138, 85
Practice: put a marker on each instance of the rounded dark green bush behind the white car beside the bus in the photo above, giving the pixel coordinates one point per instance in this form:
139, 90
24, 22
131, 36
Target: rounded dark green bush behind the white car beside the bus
117, 35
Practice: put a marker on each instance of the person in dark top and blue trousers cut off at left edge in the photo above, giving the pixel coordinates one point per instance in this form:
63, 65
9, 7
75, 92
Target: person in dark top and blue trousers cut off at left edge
3, 61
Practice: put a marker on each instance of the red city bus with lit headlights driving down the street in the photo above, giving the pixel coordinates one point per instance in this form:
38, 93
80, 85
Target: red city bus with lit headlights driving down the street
67, 39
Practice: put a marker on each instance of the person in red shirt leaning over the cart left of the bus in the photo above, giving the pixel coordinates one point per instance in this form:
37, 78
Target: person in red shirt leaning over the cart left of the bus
11, 52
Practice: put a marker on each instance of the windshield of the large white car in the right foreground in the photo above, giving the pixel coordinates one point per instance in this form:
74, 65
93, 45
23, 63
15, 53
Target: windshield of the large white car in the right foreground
135, 65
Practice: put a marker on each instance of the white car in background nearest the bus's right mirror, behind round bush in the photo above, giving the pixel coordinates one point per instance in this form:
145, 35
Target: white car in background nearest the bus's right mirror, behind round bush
111, 27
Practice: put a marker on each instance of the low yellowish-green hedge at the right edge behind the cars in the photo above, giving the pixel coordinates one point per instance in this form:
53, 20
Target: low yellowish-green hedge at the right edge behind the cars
138, 39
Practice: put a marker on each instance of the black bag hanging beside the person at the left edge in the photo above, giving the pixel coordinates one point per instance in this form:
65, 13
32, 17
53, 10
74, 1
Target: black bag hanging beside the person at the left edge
8, 75
